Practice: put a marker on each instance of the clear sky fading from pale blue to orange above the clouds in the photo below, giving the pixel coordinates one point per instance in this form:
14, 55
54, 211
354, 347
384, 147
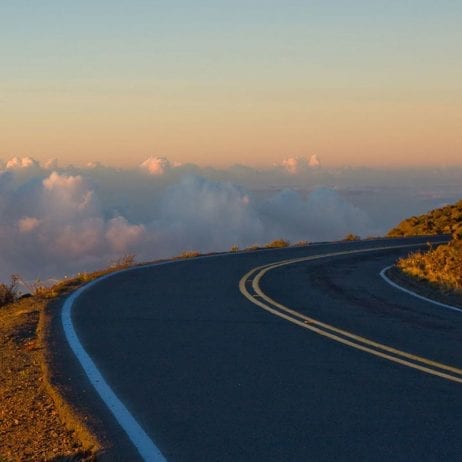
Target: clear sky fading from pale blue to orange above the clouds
375, 83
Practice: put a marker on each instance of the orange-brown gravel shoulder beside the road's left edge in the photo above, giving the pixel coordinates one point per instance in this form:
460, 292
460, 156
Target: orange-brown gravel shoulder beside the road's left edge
35, 423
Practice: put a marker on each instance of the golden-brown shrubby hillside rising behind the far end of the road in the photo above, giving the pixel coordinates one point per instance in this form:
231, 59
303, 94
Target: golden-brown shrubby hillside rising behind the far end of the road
445, 220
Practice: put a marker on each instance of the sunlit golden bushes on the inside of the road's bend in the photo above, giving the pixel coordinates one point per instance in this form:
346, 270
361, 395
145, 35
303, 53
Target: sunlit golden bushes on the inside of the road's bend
441, 266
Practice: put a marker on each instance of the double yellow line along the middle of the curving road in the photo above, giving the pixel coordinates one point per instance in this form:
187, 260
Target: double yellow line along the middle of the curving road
252, 279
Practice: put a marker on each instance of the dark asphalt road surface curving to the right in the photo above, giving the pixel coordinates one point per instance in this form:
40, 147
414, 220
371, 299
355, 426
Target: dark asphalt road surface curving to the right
211, 376
